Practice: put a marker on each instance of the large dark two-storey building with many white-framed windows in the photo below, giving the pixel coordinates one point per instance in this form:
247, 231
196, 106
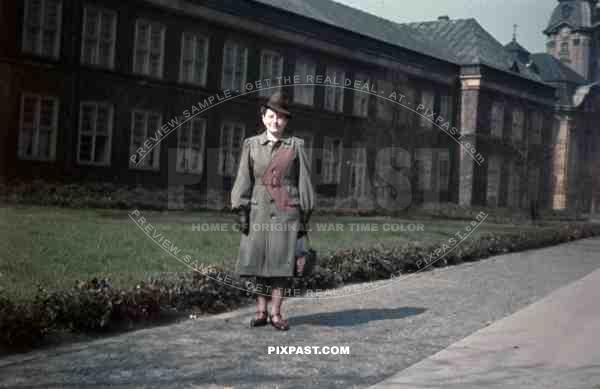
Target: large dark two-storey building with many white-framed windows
86, 84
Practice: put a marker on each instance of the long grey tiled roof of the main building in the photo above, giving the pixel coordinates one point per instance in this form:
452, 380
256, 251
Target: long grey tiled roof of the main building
460, 42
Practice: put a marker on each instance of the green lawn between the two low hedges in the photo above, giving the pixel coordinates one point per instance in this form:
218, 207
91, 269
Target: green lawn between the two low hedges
56, 247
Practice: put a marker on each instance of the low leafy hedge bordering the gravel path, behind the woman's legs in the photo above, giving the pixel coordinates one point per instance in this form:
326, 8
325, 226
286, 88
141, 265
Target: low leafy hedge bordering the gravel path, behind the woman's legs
96, 306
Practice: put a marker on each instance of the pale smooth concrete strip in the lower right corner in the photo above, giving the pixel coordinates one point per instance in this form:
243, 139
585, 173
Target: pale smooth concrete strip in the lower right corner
554, 343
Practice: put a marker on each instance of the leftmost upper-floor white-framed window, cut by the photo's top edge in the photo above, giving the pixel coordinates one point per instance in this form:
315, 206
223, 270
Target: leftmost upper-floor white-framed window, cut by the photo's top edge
41, 27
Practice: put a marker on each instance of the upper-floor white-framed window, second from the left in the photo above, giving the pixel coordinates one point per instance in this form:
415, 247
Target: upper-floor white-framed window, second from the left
99, 37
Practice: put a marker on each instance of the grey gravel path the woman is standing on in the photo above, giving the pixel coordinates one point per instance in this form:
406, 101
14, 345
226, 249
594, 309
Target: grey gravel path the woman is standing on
387, 330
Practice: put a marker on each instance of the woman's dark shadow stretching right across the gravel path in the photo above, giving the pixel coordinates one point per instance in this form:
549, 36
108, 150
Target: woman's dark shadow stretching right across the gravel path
355, 316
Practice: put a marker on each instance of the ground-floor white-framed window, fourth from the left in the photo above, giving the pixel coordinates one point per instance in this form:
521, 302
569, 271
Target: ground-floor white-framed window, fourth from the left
190, 145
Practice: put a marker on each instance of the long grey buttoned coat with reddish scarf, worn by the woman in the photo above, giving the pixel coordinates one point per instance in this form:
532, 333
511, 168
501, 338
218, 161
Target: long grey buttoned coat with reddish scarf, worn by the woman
274, 180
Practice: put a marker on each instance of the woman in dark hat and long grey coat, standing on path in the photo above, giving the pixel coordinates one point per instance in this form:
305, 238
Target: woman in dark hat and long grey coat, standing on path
274, 197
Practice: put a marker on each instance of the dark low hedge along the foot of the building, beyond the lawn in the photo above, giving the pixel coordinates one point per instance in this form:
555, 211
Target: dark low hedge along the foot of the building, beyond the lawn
108, 195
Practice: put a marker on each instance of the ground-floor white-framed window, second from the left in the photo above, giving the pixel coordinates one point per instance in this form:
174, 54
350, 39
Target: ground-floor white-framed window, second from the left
95, 133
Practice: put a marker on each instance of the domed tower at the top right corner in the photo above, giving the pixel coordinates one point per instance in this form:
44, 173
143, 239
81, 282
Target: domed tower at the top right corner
573, 33
